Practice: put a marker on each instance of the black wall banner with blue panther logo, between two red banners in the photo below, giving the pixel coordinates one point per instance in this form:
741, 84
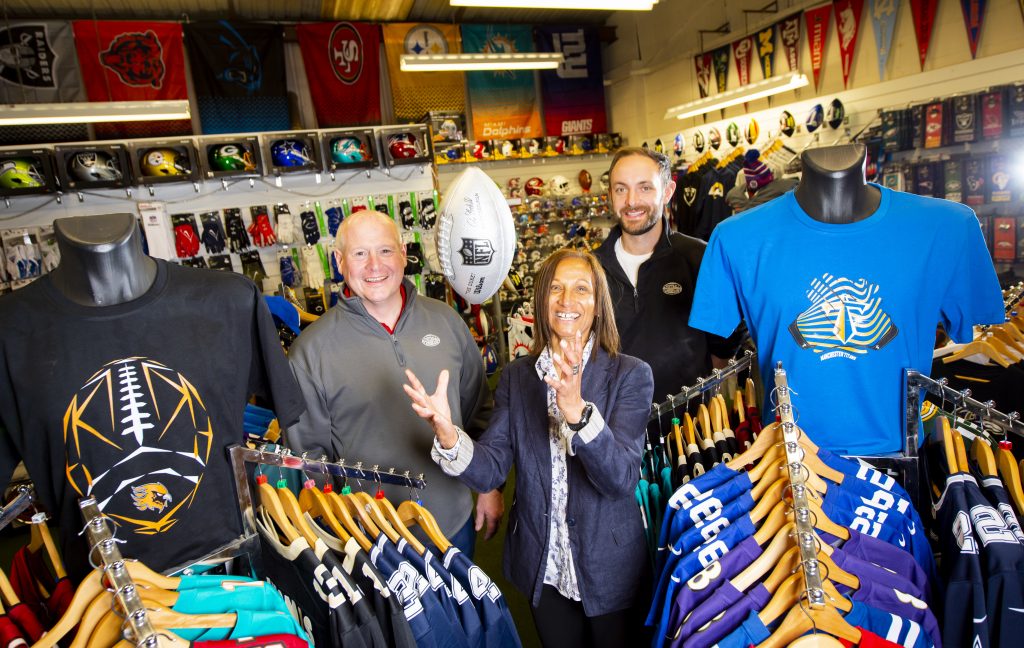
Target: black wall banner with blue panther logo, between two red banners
239, 76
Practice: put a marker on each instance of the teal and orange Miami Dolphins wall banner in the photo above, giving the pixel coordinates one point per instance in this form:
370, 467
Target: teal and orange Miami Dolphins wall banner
504, 104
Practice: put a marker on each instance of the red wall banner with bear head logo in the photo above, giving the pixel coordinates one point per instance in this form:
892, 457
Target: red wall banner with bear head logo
124, 61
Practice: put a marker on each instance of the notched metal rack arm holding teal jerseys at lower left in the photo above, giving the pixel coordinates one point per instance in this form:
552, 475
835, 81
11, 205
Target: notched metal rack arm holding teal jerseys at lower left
102, 541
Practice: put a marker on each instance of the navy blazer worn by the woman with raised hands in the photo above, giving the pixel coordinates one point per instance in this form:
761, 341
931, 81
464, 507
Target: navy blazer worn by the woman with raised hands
605, 525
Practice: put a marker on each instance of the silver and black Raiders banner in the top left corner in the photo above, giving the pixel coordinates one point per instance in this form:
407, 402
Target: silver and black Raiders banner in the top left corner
38, 64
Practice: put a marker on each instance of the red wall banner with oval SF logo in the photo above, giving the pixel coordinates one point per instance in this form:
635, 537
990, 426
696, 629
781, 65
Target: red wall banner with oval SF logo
343, 62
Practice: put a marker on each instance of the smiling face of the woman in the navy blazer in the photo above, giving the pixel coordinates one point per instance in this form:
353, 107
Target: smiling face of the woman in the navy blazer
571, 300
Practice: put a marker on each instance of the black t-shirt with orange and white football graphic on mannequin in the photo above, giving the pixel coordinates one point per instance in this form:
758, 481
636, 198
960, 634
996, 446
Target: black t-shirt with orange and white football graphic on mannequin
137, 405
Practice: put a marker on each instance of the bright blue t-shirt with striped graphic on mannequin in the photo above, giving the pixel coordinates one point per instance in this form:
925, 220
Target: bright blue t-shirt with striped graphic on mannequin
847, 307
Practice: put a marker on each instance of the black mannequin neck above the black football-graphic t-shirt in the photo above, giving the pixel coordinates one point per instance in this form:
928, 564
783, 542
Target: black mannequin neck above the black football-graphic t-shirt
102, 261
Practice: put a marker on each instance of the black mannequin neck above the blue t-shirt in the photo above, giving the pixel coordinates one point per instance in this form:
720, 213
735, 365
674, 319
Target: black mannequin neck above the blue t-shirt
833, 188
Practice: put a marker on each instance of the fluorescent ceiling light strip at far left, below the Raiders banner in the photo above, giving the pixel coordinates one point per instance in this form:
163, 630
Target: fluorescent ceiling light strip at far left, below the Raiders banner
90, 112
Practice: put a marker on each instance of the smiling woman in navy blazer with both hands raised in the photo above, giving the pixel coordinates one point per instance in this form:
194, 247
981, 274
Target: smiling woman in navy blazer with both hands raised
572, 416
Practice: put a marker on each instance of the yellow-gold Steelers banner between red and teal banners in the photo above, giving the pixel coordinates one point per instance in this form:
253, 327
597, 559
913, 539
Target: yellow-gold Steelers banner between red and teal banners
416, 94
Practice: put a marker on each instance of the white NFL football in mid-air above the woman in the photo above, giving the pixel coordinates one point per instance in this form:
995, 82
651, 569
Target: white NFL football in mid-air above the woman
476, 237
